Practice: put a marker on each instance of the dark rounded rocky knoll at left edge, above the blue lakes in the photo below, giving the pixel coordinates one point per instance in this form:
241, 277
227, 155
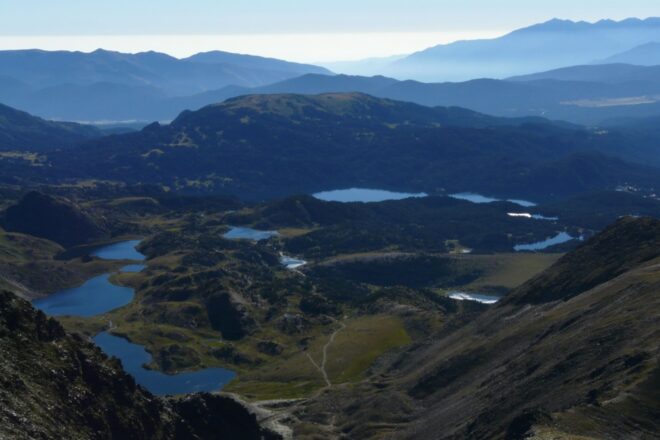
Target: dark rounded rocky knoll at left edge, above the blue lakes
52, 218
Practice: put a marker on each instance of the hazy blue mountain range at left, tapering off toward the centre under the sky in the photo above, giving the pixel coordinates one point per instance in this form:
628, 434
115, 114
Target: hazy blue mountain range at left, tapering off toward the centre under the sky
110, 85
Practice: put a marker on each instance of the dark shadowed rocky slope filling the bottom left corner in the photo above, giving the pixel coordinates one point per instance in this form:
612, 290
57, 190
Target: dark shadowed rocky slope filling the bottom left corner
55, 385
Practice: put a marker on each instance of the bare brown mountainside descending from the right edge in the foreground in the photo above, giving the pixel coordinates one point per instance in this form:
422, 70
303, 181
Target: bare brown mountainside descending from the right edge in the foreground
573, 353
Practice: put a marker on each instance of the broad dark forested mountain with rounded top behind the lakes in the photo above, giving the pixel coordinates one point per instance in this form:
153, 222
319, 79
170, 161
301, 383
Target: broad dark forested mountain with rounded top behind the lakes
265, 146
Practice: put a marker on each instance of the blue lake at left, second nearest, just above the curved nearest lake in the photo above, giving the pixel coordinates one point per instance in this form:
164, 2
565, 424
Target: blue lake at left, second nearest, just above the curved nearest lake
94, 297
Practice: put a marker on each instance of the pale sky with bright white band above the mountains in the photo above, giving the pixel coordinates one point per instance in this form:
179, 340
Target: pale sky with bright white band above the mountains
306, 31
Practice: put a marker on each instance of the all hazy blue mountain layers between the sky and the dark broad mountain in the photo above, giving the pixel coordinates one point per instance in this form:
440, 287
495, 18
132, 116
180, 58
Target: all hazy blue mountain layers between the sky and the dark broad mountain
593, 73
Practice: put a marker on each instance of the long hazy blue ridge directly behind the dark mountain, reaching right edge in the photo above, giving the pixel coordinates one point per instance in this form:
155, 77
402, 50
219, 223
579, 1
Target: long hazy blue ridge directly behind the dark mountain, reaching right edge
589, 95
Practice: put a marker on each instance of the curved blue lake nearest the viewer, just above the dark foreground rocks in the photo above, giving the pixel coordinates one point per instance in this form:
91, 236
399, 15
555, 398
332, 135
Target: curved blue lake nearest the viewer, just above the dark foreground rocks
134, 357
